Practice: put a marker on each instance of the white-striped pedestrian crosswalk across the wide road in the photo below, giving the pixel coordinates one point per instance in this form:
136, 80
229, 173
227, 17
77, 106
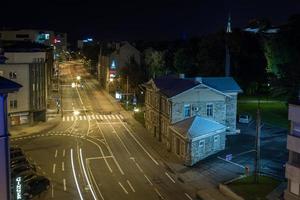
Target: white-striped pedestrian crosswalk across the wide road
92, 117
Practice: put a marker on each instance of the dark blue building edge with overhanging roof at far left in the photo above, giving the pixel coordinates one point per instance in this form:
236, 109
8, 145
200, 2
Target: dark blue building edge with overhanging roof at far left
6, 86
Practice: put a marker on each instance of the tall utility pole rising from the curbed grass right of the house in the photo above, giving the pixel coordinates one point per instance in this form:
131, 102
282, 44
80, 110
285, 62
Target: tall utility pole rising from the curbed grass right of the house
257, 145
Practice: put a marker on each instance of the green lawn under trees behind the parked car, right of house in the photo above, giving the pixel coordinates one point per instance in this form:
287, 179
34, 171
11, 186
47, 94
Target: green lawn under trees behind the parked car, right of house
274, 112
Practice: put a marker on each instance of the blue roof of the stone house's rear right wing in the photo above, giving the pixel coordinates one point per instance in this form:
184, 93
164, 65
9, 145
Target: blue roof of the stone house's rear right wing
223, 84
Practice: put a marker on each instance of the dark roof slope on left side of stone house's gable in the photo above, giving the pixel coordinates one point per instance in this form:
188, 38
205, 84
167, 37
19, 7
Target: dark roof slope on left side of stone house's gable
171, 86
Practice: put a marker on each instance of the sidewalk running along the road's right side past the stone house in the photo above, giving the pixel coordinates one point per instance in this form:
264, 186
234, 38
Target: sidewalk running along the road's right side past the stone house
193, 181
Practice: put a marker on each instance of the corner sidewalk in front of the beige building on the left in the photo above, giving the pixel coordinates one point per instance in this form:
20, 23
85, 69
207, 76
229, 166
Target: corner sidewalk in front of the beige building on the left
27, 129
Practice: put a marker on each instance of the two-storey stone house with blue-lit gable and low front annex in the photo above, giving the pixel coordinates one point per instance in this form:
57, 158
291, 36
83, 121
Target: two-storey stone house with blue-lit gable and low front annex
191, 116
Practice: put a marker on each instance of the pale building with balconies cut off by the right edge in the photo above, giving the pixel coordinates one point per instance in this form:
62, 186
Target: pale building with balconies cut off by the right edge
292, 172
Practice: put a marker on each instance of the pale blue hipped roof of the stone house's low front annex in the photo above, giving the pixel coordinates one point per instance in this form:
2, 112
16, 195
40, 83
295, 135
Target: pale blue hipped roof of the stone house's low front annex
197, 126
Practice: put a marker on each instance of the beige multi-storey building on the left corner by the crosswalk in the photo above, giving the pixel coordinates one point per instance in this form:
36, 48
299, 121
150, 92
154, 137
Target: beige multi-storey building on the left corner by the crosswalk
29, 65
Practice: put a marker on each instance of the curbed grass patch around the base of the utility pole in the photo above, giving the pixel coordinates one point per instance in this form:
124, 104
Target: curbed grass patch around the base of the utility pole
250, 191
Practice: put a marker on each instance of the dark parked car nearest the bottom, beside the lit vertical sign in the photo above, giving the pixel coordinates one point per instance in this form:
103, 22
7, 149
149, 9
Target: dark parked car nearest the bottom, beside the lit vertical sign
35, 186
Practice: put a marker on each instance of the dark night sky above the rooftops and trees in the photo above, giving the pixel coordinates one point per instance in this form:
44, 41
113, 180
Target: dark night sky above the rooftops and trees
135, 20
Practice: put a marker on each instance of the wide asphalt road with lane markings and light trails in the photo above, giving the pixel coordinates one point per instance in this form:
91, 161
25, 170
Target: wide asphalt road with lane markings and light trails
93, 153
